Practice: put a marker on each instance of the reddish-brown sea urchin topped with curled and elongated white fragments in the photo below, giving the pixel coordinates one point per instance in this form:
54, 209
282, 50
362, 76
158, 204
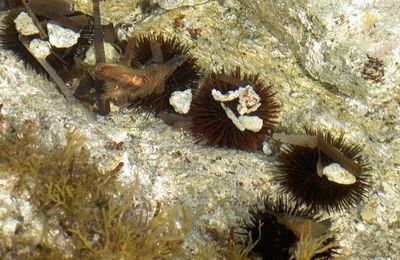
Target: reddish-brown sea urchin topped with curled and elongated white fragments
213, 125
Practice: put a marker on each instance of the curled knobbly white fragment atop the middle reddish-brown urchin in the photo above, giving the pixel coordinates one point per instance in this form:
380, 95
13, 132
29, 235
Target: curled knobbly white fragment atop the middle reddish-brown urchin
249, 100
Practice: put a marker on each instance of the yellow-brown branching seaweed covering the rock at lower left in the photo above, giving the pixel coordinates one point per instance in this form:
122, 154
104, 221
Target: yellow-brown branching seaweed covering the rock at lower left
93, 216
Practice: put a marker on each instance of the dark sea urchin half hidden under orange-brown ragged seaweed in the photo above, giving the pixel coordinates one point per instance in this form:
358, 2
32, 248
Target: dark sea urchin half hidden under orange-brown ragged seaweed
185, 76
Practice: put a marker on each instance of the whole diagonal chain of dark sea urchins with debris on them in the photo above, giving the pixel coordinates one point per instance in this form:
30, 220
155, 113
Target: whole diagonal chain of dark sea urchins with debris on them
229, 109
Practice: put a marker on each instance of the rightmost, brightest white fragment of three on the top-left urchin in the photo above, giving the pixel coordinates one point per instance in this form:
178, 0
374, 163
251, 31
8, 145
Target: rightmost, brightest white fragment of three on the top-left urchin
61, 37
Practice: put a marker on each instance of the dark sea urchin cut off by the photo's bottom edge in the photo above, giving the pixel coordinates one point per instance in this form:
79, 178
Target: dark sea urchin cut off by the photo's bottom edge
281, 230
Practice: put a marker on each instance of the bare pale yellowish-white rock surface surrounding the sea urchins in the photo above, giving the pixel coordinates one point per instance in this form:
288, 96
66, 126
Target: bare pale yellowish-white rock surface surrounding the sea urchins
218, 185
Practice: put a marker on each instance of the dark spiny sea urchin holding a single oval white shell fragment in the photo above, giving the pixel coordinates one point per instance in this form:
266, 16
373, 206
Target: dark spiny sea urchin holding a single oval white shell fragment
299, 174
